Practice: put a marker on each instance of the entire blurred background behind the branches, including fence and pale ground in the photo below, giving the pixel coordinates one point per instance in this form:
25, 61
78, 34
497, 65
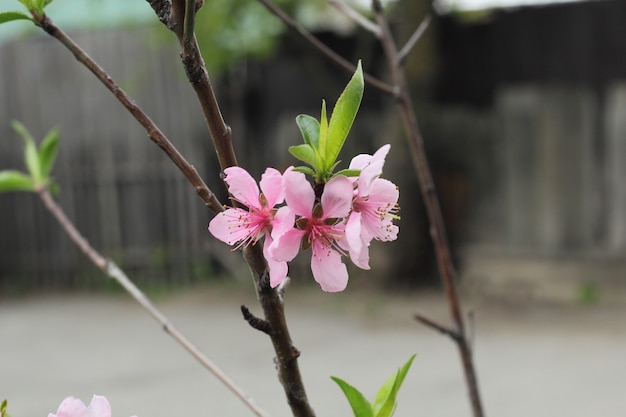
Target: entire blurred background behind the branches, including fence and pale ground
522, 105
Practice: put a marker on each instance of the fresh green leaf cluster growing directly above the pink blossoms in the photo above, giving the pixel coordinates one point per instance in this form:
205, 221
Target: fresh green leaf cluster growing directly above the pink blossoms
324, 139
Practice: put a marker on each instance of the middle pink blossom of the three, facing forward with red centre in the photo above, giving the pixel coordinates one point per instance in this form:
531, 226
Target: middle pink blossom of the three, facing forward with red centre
319, 225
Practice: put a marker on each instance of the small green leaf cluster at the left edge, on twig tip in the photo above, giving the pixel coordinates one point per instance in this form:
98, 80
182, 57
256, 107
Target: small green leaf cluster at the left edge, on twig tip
38, 160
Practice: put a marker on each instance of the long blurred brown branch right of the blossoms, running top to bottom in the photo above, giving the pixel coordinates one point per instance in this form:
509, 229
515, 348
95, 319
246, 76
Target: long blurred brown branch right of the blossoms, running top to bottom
431, 201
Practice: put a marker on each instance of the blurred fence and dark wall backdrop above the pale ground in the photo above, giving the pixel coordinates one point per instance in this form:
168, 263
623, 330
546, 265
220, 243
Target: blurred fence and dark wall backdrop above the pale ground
521, 106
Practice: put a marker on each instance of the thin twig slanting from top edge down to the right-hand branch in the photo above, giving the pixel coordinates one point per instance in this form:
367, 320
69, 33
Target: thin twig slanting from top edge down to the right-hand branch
325, 50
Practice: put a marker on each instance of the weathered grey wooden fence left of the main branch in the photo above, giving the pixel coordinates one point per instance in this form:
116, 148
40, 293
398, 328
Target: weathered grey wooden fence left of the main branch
118, 187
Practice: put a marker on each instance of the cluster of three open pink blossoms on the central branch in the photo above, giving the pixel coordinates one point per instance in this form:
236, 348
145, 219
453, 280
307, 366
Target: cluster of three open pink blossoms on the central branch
343, 221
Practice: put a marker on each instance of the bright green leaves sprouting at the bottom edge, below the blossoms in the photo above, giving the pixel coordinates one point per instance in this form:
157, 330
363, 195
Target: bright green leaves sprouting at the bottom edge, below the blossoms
385, 402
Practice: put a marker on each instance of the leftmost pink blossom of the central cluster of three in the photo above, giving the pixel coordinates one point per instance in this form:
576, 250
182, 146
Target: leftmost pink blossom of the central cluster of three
236, 226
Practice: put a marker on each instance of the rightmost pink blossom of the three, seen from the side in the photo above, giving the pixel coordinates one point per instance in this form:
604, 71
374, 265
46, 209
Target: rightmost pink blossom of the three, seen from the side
373, 208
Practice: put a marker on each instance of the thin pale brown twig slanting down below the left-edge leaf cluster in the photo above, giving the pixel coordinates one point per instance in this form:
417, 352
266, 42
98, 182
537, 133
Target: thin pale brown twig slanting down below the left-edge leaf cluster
113, 271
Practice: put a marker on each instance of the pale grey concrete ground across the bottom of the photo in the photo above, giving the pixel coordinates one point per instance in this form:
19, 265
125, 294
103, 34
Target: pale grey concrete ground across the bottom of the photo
532, 360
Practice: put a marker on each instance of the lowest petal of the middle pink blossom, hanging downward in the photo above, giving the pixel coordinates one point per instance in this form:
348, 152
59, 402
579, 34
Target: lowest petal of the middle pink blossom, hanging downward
327, 268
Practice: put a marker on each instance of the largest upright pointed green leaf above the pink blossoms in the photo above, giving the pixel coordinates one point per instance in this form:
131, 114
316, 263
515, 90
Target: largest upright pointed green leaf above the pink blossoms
343, 116
